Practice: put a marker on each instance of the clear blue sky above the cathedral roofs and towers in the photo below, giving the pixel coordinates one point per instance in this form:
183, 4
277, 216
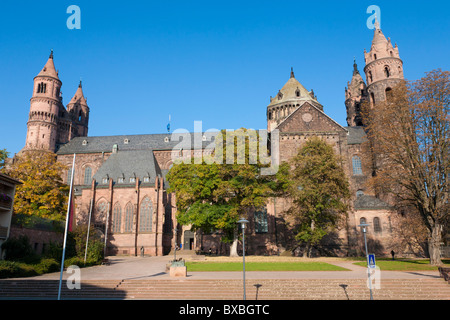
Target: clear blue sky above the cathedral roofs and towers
212, 61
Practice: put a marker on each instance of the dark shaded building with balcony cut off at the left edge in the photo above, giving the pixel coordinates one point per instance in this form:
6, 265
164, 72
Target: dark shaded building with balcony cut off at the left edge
7, 192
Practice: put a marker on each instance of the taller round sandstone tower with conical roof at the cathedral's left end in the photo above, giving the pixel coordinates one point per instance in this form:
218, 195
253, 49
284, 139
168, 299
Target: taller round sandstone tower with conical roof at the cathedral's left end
45, 104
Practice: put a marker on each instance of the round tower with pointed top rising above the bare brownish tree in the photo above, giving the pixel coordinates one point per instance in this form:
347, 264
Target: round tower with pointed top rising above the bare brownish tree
384, 68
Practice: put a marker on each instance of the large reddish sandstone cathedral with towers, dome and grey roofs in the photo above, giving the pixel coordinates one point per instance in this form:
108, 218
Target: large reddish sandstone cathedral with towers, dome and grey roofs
120, 184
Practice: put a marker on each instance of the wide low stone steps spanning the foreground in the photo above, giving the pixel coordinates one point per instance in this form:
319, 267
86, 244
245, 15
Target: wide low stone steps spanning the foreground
266, 289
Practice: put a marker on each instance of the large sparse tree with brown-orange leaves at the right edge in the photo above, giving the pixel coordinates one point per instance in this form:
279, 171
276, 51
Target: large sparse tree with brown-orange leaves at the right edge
409, 138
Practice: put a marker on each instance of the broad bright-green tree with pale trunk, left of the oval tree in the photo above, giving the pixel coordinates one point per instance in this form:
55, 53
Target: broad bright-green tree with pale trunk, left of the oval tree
215, 195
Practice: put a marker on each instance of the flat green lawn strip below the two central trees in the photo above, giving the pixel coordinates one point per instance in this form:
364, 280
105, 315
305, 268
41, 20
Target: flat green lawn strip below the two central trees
262, 266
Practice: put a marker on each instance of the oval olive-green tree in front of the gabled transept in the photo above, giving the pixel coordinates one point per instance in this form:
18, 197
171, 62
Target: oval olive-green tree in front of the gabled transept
319, 190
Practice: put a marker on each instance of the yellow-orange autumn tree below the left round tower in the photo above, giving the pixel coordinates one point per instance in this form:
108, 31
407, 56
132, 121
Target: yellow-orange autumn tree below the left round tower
42, 193
